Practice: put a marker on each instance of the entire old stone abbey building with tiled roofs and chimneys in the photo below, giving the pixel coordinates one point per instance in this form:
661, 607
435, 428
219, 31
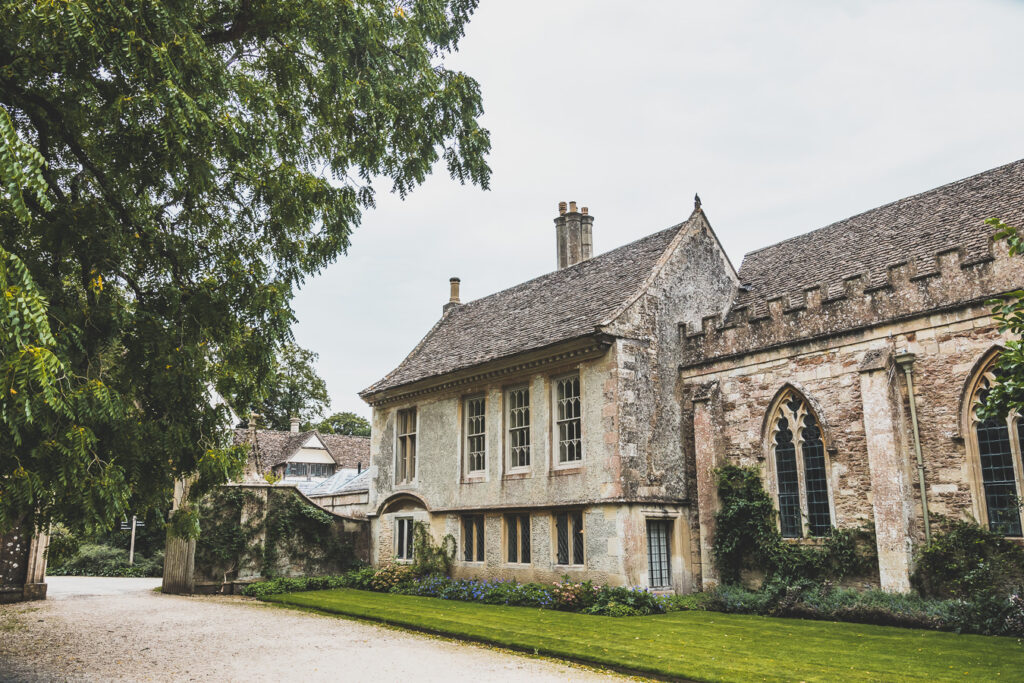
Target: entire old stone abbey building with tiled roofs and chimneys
571, 425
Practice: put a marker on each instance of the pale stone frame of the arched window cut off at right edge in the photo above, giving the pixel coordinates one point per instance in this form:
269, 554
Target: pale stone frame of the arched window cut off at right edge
977, 383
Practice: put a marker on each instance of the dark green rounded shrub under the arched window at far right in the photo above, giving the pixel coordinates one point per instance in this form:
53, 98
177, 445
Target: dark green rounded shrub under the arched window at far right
966, 562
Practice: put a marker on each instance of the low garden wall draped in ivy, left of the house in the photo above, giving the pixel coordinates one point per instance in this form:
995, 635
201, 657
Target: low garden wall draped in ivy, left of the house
255, 532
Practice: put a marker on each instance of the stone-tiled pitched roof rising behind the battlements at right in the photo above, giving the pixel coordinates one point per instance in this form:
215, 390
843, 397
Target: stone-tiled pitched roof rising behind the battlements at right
912, 231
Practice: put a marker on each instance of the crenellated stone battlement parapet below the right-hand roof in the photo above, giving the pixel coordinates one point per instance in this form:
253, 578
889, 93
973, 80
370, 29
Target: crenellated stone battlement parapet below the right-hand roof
910, 288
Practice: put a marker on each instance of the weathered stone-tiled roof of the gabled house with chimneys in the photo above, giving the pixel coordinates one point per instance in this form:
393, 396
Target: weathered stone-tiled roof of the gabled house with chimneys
560, 307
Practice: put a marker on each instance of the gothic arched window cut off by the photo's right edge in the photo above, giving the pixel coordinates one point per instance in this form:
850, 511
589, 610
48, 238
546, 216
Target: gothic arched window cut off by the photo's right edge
996, 455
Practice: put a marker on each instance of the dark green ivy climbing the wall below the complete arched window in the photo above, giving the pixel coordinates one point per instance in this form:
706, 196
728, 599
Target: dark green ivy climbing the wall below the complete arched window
747, 538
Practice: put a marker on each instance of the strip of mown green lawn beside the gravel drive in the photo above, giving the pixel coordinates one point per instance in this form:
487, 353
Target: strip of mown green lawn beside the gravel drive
705, 647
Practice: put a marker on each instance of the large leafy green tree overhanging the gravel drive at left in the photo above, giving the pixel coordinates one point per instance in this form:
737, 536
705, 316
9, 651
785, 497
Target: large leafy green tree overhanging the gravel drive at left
170, 173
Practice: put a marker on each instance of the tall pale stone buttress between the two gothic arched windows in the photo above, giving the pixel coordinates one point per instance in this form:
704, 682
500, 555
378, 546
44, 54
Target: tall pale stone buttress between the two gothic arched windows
887, 457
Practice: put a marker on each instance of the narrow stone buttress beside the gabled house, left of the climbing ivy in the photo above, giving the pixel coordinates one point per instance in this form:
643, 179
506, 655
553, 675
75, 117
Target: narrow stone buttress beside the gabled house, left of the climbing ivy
708, 452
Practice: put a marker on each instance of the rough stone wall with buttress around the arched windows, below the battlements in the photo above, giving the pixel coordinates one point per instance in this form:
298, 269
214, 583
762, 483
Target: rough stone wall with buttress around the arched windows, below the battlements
861, 398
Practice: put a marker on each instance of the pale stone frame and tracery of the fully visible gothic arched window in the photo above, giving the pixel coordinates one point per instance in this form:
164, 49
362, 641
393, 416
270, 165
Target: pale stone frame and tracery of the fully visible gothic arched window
794, 406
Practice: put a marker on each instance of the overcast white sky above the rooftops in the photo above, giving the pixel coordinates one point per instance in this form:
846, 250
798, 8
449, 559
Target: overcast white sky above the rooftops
786, 116
